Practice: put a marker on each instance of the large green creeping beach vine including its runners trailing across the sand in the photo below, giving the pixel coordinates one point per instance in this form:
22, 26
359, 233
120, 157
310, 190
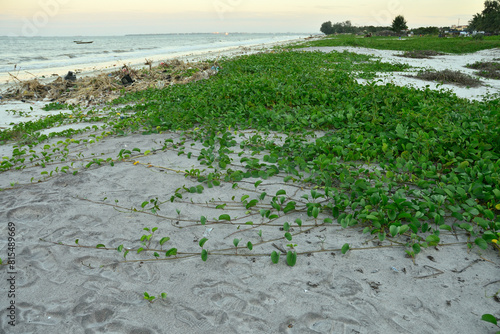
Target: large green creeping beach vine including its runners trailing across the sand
405, 166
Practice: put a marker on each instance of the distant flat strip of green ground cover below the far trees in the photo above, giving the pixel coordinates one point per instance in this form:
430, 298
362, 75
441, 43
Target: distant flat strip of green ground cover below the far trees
449, 45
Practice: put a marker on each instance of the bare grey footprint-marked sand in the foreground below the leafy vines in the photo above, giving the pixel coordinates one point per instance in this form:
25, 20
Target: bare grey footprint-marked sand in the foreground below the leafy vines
62, 289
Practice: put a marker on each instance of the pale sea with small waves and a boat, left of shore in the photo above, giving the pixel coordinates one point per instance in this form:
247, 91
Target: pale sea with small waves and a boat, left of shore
25, 57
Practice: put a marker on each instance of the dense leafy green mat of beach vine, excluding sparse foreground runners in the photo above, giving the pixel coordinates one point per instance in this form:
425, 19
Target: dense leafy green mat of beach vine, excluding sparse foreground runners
396, 161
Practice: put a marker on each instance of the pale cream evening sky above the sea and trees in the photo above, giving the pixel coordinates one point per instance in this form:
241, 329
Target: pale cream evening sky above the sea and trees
120, 17
